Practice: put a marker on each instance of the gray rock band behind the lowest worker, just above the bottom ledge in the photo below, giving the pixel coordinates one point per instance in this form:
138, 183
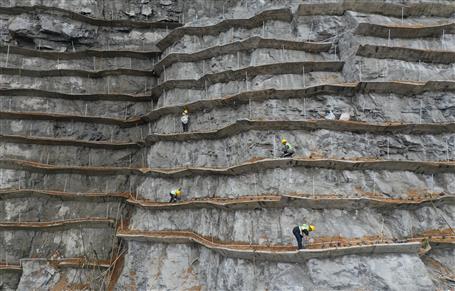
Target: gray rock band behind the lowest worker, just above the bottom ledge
274, 226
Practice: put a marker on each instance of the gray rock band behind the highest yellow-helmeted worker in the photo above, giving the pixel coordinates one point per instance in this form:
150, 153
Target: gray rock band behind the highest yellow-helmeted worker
252, 144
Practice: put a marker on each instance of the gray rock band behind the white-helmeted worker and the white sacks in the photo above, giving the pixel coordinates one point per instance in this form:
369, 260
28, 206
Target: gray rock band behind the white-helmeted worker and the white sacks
429, 107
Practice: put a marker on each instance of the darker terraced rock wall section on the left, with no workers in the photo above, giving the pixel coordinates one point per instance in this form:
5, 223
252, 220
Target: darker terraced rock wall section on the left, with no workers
71, 86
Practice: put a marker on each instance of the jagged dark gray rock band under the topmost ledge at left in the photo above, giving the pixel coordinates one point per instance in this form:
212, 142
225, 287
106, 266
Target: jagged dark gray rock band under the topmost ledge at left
60, 33
